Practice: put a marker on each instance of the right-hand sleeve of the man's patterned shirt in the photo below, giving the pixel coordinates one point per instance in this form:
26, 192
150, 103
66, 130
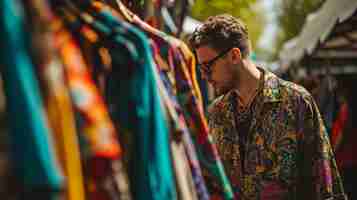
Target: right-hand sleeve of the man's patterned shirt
318, 174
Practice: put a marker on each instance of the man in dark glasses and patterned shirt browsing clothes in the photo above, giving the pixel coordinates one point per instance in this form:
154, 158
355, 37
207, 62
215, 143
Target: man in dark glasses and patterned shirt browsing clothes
268, 131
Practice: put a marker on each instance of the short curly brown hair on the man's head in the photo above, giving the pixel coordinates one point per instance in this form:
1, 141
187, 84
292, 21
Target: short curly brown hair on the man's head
222, 32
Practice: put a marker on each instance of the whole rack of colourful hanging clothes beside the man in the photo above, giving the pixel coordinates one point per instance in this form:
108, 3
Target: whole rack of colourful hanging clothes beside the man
134, 129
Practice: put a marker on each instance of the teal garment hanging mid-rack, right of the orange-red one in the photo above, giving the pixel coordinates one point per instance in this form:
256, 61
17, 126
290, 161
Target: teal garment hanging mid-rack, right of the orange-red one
139, 112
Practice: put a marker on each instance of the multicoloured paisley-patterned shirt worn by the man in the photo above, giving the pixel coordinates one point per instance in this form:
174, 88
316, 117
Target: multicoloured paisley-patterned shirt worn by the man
287, 152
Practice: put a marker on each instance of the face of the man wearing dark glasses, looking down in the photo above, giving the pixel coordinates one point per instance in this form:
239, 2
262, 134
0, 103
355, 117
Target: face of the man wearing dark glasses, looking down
217, 68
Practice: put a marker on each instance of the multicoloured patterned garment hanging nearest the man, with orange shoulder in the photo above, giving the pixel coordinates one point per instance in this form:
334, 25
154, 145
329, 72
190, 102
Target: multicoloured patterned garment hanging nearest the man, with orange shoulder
178, 55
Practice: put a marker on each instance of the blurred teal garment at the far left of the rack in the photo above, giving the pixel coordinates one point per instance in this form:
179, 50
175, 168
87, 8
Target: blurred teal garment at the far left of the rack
35, 163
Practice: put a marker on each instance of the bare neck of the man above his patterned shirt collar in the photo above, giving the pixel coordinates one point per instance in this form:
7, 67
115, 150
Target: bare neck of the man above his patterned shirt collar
248, 80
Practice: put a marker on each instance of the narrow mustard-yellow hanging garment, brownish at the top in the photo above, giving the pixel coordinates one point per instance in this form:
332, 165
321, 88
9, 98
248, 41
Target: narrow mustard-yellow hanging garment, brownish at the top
56, 96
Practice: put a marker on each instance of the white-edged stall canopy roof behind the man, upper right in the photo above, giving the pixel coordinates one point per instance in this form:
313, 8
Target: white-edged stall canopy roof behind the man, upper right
328, 34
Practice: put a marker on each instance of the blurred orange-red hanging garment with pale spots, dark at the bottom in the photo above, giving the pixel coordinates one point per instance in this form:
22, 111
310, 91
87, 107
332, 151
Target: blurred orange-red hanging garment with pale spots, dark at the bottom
108, 179
